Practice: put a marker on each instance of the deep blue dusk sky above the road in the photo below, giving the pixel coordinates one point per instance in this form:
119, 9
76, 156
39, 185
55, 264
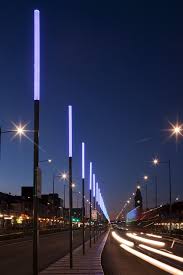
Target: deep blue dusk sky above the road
120, 64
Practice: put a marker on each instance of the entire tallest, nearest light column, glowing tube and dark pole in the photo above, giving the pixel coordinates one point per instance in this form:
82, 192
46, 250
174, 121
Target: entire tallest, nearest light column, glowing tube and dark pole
36, 140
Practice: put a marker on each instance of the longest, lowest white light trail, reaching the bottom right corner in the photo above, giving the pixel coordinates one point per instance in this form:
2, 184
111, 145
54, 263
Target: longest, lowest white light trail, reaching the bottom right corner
168, 268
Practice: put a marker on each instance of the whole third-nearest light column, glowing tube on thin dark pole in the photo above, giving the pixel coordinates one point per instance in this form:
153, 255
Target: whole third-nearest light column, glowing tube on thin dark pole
83, 195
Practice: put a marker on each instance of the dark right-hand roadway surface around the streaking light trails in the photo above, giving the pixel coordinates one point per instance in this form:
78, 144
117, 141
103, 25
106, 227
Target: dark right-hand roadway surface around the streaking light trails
117, 261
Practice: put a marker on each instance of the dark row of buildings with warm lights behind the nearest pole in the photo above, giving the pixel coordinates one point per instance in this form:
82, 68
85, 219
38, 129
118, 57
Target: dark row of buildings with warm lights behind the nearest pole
13, 207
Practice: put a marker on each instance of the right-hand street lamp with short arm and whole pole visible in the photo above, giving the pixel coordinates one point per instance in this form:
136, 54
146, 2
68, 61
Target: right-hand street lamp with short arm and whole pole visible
157, 162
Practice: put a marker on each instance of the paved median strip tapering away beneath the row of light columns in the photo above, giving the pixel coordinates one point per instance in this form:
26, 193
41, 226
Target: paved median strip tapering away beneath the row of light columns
90, 263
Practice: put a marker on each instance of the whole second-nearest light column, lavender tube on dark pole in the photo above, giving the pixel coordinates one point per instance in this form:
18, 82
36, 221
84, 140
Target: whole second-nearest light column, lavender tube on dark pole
70, 184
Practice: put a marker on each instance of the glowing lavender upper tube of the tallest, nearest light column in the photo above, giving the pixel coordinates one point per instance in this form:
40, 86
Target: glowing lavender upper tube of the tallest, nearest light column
36, 55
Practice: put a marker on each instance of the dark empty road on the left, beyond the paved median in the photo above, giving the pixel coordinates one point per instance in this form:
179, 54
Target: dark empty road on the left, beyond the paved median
16, 255
